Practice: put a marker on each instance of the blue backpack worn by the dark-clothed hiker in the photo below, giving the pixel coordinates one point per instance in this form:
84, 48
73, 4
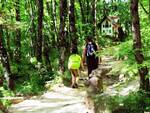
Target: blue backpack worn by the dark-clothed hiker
90, 49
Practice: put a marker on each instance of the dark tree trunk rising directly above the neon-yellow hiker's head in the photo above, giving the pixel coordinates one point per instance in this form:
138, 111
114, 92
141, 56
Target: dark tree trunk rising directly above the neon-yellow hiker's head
72, 25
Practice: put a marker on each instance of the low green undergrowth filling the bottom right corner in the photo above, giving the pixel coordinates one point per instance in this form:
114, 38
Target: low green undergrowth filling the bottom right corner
135, 102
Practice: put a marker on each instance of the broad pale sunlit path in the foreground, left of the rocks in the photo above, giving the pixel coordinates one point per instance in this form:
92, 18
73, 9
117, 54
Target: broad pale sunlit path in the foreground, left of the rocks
61, 99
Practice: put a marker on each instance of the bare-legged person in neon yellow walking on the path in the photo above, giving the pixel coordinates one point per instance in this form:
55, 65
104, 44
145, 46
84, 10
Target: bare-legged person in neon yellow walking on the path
74, 65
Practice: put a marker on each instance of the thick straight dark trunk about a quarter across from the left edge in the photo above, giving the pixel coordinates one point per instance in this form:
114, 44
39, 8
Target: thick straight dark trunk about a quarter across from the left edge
40, 27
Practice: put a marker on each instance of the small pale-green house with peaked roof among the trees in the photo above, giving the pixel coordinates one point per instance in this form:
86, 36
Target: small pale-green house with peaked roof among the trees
109, 25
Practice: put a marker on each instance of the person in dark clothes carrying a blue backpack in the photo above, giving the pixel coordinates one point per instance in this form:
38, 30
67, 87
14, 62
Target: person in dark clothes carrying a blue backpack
89, 56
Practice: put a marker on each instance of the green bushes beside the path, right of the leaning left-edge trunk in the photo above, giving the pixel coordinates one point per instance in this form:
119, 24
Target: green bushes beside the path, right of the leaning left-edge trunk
30, 76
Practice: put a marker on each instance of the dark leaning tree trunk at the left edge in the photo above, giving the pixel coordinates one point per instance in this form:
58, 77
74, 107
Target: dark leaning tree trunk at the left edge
5, 62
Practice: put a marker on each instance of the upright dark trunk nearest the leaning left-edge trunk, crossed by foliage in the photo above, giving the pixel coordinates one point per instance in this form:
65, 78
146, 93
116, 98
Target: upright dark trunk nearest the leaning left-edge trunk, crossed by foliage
17, 51
